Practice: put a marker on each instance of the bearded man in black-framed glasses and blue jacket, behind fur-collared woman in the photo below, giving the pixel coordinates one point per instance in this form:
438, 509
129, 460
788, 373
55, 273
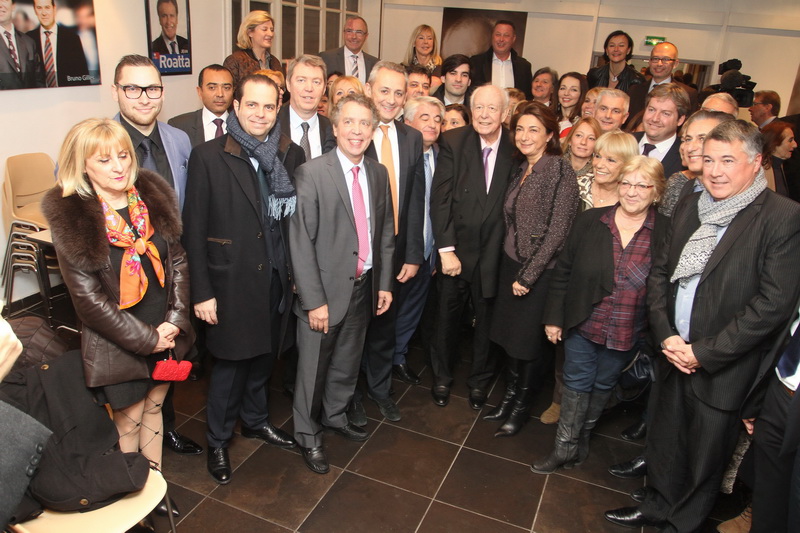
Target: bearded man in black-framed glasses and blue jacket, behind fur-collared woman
163, 149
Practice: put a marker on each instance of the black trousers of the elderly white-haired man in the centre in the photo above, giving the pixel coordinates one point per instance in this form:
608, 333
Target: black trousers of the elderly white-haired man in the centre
454, 292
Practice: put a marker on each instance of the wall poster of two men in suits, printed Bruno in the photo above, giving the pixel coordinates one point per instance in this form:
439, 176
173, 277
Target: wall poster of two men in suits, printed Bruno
47, 44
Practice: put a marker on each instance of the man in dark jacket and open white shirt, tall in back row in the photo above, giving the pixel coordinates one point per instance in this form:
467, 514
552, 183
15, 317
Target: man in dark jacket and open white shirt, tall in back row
501, 65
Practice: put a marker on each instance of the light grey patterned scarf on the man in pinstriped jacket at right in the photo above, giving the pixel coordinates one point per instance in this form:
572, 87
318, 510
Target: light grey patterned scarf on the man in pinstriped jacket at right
712, 215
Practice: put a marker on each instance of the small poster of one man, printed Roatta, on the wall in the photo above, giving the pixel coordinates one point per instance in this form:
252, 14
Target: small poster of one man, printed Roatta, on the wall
169, 41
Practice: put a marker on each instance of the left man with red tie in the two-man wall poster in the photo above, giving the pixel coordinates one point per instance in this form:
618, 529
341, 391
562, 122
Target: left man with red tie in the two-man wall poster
20, 66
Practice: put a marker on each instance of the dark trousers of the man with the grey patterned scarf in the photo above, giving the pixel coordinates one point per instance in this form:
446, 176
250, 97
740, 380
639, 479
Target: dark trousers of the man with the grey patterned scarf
689, 444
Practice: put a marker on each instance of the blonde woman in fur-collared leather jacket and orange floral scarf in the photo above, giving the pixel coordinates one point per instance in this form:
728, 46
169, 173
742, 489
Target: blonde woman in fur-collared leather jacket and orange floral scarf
116, 230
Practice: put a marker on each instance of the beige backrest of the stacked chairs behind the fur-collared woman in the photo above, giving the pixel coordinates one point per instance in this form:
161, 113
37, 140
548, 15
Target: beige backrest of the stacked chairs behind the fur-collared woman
28, 178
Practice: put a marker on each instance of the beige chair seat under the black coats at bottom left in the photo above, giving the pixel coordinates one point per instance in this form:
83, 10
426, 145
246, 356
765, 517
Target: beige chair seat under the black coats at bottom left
118, 517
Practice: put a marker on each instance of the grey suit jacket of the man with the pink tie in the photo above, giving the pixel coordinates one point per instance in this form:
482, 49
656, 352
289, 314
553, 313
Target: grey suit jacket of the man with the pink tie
323, 243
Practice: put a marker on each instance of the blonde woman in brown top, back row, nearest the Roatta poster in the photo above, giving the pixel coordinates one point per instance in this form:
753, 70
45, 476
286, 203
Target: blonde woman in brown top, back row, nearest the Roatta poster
256, 33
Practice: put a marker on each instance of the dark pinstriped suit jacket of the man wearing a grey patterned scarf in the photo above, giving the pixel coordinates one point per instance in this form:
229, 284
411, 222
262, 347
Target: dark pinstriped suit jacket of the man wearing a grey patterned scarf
746, 291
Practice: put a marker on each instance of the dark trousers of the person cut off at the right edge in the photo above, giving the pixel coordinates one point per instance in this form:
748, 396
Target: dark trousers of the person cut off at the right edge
776, 475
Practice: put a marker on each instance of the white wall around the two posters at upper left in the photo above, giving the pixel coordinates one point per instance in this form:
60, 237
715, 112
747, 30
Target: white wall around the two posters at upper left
42, 117
